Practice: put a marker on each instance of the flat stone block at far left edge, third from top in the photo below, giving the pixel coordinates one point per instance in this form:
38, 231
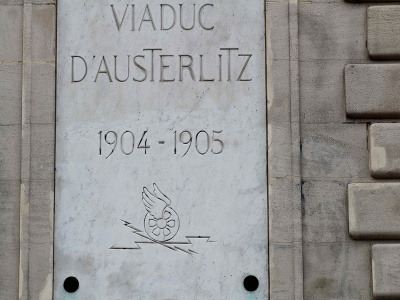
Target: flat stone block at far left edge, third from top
10, 142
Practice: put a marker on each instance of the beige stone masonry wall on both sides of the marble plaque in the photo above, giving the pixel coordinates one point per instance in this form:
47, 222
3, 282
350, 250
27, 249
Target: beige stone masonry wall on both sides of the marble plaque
334, 149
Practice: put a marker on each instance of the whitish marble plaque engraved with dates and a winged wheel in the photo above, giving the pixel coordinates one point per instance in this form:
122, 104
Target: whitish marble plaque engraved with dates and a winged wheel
161, 176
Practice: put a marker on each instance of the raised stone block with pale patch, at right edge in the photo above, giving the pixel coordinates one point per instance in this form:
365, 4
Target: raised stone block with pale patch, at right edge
384, 158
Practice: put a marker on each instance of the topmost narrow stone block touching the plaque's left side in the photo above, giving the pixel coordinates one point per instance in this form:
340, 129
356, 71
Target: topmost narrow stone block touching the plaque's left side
43, 32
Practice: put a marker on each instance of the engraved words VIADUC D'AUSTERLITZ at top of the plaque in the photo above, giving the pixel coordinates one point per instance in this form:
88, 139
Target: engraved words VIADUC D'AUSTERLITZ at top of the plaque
154, 64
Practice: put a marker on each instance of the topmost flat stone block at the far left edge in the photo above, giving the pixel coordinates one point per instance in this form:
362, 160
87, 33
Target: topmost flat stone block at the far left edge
11, 31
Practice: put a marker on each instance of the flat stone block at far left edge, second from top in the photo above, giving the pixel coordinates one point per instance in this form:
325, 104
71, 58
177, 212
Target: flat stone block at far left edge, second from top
10, 93
